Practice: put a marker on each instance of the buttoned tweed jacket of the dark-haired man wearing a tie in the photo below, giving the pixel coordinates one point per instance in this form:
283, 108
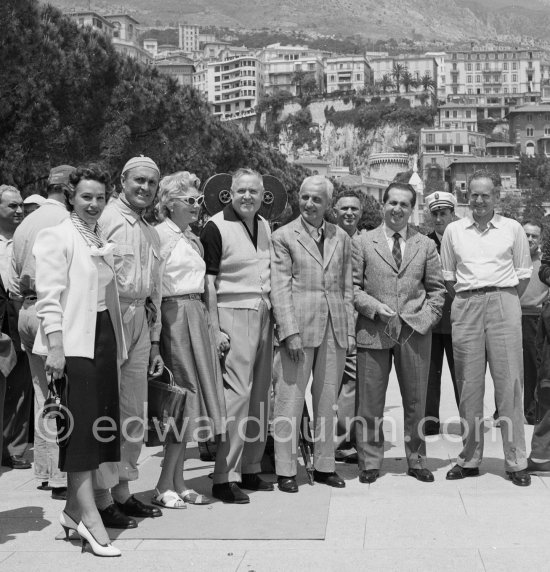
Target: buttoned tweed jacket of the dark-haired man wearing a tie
415, 290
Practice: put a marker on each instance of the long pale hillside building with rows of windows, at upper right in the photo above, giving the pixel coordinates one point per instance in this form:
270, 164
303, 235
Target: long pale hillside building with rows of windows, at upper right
493, 72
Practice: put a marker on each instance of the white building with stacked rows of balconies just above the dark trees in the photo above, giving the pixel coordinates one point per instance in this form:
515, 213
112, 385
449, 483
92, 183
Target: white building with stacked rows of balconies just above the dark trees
231, 86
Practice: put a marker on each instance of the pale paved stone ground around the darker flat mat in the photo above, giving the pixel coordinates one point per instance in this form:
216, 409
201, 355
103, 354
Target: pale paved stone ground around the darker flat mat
481, 524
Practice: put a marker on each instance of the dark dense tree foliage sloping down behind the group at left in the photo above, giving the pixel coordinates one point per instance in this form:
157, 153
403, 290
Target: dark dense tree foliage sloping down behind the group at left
66, 96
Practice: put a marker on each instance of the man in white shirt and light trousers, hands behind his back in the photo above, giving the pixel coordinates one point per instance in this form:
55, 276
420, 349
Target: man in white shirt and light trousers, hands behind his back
487, 264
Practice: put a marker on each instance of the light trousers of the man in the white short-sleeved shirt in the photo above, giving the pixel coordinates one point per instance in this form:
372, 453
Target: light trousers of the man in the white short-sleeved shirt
489, 325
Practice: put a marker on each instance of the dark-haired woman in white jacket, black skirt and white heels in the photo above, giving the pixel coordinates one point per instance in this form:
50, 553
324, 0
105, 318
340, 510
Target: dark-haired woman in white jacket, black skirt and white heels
81, 335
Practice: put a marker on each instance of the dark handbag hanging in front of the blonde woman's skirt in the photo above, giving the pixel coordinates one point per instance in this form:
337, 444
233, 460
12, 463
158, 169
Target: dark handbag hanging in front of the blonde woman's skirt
165, 409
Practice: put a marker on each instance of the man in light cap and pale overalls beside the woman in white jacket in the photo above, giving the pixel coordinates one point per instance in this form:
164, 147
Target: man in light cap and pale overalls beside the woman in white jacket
137, 266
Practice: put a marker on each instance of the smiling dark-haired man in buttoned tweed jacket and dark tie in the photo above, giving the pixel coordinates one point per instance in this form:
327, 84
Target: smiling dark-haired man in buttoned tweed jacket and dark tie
399, 292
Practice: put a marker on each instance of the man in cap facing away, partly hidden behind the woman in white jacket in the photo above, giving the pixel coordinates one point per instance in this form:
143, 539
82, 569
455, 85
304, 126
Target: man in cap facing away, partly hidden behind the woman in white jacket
23, 290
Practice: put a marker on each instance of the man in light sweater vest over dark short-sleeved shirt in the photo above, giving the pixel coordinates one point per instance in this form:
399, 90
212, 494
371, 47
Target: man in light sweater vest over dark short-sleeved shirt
237, 244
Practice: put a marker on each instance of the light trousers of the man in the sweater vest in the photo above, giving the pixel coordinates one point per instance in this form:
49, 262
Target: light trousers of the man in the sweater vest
247, 379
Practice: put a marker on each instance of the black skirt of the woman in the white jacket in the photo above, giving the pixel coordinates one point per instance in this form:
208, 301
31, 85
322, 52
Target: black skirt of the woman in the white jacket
92, 434
